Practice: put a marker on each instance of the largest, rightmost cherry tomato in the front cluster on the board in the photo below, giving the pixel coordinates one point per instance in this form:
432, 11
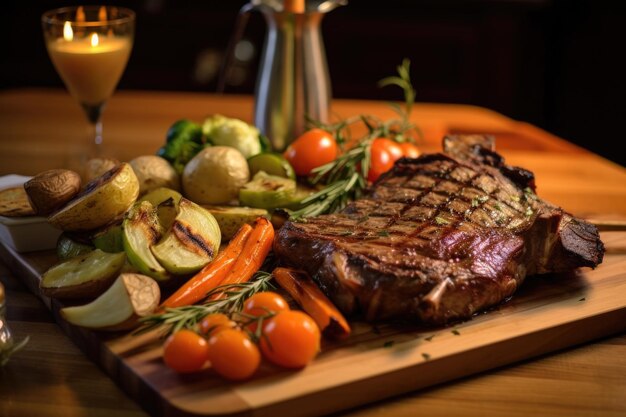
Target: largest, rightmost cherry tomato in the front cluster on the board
290, 339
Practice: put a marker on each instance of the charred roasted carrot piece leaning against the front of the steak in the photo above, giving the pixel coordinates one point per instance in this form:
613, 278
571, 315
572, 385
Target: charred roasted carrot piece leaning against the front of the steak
308, 295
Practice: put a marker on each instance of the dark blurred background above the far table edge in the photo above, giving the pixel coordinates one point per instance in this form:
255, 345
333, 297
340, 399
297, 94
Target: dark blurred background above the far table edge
556, 64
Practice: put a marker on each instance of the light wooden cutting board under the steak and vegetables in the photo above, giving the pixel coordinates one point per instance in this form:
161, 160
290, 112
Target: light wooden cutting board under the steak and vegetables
548, 313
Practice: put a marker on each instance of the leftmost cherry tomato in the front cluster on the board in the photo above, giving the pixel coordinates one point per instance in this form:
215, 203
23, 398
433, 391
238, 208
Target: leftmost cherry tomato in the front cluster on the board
185, 351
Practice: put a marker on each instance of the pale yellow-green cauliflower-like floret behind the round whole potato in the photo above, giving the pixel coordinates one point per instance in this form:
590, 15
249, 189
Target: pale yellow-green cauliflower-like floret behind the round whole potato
225, 131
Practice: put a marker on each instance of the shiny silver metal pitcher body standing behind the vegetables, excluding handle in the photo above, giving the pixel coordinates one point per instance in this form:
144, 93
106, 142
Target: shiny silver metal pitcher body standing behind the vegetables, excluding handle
293, 82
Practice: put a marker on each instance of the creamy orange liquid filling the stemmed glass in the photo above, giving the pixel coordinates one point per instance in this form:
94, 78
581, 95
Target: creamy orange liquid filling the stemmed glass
90, 73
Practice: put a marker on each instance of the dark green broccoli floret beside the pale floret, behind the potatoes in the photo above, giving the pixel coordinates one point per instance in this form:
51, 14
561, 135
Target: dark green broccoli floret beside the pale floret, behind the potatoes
183, 141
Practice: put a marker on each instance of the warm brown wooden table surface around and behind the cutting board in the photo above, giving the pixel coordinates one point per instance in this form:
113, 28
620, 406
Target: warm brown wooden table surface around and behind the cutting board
42, 129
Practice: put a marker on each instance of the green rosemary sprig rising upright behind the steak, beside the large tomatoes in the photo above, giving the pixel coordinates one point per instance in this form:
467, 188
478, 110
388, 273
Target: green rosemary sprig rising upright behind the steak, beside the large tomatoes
345, 178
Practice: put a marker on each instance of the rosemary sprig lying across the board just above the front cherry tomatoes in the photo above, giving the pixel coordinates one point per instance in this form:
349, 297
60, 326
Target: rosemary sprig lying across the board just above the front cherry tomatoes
187, 317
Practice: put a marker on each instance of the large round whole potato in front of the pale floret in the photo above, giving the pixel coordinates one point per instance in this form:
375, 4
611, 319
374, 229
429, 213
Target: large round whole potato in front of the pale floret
215, 175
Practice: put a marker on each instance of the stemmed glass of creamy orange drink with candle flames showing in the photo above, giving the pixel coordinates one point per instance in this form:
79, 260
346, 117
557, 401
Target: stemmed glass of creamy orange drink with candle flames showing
89, 46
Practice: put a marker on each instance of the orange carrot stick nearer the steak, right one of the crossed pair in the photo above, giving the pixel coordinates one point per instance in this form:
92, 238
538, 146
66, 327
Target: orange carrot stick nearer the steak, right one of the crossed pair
252, 255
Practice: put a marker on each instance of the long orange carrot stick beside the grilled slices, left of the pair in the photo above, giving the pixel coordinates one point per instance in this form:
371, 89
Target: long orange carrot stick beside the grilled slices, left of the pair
212, 274
